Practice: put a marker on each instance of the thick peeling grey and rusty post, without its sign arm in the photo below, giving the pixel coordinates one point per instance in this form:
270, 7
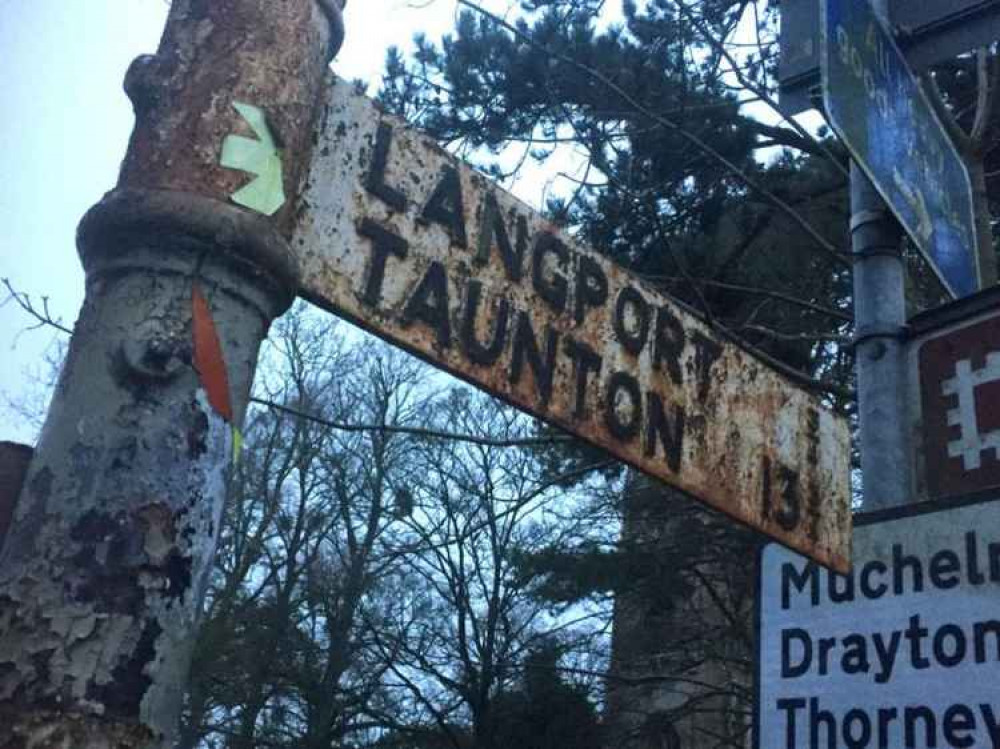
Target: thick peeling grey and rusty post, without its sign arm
107, 560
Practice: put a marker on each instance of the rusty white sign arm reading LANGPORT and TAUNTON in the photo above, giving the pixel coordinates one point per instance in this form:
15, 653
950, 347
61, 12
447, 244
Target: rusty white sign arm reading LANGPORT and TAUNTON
401, 237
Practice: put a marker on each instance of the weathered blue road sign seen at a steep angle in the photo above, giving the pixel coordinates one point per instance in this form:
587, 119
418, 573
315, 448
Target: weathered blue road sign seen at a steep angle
877, 107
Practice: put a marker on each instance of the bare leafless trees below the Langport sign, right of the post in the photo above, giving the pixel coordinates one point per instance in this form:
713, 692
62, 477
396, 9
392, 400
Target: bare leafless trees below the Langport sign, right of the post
368, 590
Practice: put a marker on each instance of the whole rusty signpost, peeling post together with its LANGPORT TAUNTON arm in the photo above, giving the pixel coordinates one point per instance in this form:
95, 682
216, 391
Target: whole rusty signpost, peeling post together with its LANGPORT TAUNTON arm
230, 203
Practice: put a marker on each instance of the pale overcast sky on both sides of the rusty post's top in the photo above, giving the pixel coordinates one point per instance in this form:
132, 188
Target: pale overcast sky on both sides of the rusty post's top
64, 126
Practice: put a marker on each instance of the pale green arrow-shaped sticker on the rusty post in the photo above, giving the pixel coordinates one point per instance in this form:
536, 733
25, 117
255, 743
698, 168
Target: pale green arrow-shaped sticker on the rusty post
266, 193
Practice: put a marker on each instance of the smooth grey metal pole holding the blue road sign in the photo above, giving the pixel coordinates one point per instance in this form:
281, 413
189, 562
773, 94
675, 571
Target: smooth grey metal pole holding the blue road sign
879, 323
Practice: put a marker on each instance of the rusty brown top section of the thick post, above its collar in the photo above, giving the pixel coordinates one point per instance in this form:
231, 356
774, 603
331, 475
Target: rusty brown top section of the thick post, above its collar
271, 55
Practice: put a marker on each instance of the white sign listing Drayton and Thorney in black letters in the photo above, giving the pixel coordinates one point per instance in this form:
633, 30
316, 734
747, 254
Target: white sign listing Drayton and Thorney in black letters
903, 653
